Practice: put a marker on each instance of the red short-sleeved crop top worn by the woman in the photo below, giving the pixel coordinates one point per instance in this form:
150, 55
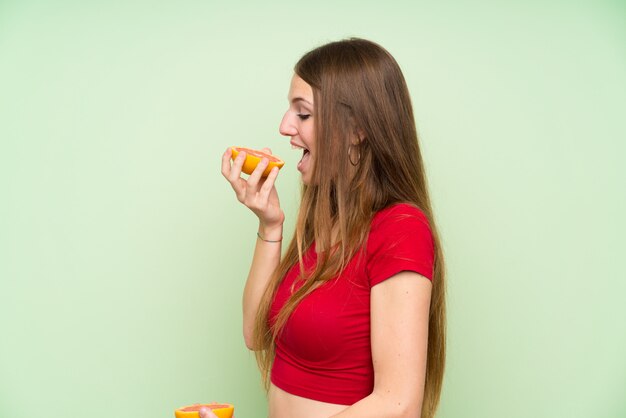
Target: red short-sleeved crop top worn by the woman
324, 350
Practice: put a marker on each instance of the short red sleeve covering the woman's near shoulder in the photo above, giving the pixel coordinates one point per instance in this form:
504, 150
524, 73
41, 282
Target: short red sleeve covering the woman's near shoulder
400, 240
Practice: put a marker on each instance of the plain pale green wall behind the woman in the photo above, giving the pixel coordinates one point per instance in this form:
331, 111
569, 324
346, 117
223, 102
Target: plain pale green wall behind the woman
123, 251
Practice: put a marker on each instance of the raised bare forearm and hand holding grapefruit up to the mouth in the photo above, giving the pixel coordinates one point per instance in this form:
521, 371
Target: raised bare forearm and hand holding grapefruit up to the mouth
260, 196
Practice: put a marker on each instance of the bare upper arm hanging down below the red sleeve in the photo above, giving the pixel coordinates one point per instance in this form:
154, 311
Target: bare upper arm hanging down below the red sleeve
399, 332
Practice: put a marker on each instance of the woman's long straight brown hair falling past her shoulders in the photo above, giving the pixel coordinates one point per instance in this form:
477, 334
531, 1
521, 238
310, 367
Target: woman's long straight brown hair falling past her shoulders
363, 112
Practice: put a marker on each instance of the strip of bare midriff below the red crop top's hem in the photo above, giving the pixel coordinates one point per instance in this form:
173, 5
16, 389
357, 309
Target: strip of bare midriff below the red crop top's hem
285, 405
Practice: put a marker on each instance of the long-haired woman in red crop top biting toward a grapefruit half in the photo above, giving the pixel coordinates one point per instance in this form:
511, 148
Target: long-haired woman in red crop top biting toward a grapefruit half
350, 321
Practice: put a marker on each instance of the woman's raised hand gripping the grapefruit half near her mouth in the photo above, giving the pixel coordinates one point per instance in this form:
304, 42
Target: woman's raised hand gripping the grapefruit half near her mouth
257, 193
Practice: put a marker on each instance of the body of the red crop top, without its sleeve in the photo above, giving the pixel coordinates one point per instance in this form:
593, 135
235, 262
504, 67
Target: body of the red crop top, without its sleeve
324, 352
